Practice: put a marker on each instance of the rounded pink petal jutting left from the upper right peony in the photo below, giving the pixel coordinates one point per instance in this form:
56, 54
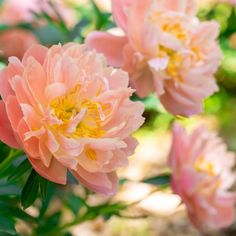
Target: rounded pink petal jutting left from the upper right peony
109, 45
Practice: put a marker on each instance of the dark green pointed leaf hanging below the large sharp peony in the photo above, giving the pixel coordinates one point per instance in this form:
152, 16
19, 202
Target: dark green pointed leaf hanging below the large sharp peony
30, 190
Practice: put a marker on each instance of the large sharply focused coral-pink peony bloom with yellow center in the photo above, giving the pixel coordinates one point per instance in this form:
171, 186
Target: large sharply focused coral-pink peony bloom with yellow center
69, 111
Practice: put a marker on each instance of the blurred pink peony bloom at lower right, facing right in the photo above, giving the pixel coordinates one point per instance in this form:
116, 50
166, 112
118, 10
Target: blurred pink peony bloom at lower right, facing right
202, 175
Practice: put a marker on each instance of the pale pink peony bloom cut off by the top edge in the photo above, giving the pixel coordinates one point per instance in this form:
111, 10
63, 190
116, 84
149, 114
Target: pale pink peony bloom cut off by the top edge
165, 49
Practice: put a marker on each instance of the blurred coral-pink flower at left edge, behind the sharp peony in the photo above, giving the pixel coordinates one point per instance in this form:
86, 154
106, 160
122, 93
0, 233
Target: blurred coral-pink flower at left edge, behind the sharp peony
15, 42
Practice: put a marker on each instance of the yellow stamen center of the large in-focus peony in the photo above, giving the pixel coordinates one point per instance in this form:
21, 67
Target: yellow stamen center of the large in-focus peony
65, 109
